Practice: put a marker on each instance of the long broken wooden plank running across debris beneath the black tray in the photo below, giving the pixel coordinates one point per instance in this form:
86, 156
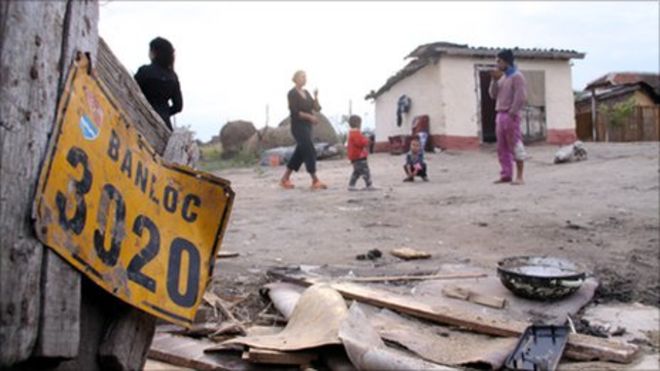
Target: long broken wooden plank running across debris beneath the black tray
579, 347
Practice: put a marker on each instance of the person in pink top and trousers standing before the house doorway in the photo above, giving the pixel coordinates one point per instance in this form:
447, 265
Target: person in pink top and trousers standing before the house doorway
508, 88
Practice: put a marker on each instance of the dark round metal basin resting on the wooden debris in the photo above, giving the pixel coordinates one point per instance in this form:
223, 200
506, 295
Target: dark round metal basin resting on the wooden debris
540, 277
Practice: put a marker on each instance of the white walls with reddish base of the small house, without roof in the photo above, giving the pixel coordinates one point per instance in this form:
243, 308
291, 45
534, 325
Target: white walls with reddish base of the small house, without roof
448, 93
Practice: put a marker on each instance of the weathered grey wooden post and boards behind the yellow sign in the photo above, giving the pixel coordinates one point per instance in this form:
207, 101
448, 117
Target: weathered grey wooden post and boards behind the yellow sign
48, 312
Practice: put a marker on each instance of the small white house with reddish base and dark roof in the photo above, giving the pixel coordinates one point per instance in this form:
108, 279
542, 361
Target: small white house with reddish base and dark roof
449, 83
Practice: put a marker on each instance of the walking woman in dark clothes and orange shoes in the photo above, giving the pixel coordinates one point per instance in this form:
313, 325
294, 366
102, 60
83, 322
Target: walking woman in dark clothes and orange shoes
302, 106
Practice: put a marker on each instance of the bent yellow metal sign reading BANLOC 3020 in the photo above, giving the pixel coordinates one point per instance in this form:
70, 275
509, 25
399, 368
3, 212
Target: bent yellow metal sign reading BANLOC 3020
144, 230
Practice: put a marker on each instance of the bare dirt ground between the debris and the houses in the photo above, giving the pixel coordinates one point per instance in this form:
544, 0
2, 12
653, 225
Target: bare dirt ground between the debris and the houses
602, 213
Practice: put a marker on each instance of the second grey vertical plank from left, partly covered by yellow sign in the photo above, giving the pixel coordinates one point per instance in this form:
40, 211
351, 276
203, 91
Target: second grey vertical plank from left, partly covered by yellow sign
59, 329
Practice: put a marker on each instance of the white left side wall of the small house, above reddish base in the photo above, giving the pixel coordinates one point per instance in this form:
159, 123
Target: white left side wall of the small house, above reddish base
423, 89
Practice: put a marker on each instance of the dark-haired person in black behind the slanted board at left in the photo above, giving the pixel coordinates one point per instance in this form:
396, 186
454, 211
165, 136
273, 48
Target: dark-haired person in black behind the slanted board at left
158, 81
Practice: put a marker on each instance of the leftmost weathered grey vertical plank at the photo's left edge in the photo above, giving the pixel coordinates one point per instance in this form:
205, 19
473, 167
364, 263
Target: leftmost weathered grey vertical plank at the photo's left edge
30, 49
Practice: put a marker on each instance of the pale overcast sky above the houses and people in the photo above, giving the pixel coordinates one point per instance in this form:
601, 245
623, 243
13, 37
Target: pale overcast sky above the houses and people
236, 58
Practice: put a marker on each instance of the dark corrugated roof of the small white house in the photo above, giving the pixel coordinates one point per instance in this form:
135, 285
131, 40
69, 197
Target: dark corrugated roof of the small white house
427, 53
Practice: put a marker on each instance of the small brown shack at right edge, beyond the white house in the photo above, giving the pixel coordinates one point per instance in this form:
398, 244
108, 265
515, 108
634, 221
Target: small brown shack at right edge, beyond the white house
625, 107
